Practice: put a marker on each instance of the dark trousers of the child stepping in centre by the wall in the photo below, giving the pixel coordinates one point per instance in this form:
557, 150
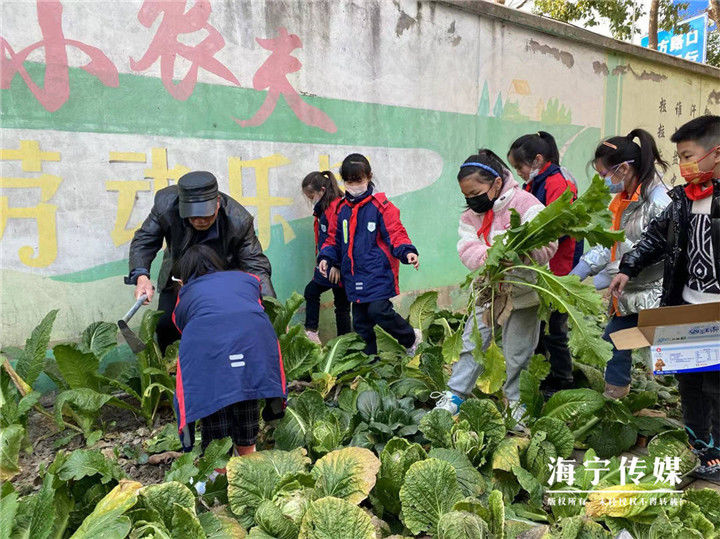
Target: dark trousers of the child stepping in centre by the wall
382, 313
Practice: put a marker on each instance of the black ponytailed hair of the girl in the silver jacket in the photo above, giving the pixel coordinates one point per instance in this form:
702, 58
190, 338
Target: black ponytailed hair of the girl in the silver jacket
644, 157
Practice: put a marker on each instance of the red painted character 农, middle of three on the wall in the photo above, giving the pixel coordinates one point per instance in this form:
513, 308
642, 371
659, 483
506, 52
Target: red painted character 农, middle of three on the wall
166, 47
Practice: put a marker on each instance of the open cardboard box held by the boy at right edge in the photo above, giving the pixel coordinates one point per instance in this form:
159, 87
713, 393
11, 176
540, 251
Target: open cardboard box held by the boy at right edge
685, 338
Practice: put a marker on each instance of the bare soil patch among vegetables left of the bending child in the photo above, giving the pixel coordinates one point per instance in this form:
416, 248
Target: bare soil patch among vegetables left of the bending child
124, 434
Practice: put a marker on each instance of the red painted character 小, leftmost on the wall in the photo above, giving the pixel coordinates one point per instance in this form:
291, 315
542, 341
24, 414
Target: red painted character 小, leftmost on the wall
56, 89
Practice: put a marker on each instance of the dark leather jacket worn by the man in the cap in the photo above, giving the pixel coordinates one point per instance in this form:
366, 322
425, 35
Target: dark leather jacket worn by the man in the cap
237, 243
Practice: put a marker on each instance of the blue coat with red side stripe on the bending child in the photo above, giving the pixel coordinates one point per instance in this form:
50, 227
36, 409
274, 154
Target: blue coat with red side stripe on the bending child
228, 351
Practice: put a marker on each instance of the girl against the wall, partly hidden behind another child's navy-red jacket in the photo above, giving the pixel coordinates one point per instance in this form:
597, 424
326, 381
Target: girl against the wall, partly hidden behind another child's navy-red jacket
322, 190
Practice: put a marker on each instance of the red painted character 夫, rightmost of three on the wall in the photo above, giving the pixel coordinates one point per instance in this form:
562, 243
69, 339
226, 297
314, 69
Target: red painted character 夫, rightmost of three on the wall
273, 76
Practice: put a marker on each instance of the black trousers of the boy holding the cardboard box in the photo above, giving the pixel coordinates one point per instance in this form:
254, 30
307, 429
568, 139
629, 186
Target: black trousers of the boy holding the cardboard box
700, 400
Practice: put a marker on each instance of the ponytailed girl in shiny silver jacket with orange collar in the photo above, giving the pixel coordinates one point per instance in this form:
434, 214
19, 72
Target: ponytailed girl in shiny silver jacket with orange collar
630, 170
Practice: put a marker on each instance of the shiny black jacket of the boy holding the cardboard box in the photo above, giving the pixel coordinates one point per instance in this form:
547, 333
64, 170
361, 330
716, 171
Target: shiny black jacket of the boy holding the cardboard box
667, 237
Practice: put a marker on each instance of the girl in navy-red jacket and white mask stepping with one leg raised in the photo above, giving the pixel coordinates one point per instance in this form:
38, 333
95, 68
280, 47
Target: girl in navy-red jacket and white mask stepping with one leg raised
367, 240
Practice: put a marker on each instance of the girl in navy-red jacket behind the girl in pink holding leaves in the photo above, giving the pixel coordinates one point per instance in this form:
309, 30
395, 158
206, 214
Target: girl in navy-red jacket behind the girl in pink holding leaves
536, 159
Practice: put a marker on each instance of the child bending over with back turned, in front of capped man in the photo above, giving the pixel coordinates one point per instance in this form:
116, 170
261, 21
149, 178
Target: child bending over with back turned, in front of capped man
229, 353
